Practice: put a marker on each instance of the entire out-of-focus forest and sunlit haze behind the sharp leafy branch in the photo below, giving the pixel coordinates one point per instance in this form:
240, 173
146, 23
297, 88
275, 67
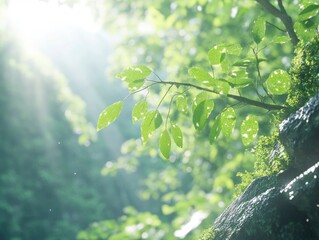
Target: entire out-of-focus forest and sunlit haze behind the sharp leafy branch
59, 178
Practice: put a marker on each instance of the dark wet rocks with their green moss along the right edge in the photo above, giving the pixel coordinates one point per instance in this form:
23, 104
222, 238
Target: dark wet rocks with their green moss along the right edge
284, 206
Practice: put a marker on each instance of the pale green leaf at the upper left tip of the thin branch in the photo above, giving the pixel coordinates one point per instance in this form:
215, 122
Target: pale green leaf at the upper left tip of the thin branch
135, 76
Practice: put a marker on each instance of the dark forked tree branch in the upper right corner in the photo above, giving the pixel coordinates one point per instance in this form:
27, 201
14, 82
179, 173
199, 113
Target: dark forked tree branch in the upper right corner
283, 16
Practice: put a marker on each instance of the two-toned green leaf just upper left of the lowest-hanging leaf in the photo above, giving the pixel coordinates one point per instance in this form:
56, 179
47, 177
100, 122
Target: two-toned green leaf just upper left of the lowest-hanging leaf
151, 122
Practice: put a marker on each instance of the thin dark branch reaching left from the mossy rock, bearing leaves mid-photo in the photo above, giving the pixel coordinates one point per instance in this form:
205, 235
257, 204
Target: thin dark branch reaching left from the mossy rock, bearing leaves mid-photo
269, 107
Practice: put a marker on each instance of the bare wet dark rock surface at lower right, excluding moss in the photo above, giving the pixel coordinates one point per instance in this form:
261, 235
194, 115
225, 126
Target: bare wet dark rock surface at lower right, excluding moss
285, 206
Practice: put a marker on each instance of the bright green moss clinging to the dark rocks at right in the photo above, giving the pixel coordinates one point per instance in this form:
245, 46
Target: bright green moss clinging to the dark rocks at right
270, 155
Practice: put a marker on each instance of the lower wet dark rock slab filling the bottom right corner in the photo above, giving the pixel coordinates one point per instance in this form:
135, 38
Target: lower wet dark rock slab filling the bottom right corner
272, 209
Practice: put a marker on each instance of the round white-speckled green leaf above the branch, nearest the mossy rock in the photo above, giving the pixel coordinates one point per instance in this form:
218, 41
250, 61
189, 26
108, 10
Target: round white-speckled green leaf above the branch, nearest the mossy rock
278, 82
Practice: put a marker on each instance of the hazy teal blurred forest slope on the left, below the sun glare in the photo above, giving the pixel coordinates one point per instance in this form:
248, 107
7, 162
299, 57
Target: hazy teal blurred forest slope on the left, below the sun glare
50, 184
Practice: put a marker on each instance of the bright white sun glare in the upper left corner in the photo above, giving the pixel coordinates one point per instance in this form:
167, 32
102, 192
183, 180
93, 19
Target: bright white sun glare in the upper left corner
35, 21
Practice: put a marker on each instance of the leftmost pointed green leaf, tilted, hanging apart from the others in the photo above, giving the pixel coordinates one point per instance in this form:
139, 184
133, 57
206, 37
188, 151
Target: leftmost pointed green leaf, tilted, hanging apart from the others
109, 115
